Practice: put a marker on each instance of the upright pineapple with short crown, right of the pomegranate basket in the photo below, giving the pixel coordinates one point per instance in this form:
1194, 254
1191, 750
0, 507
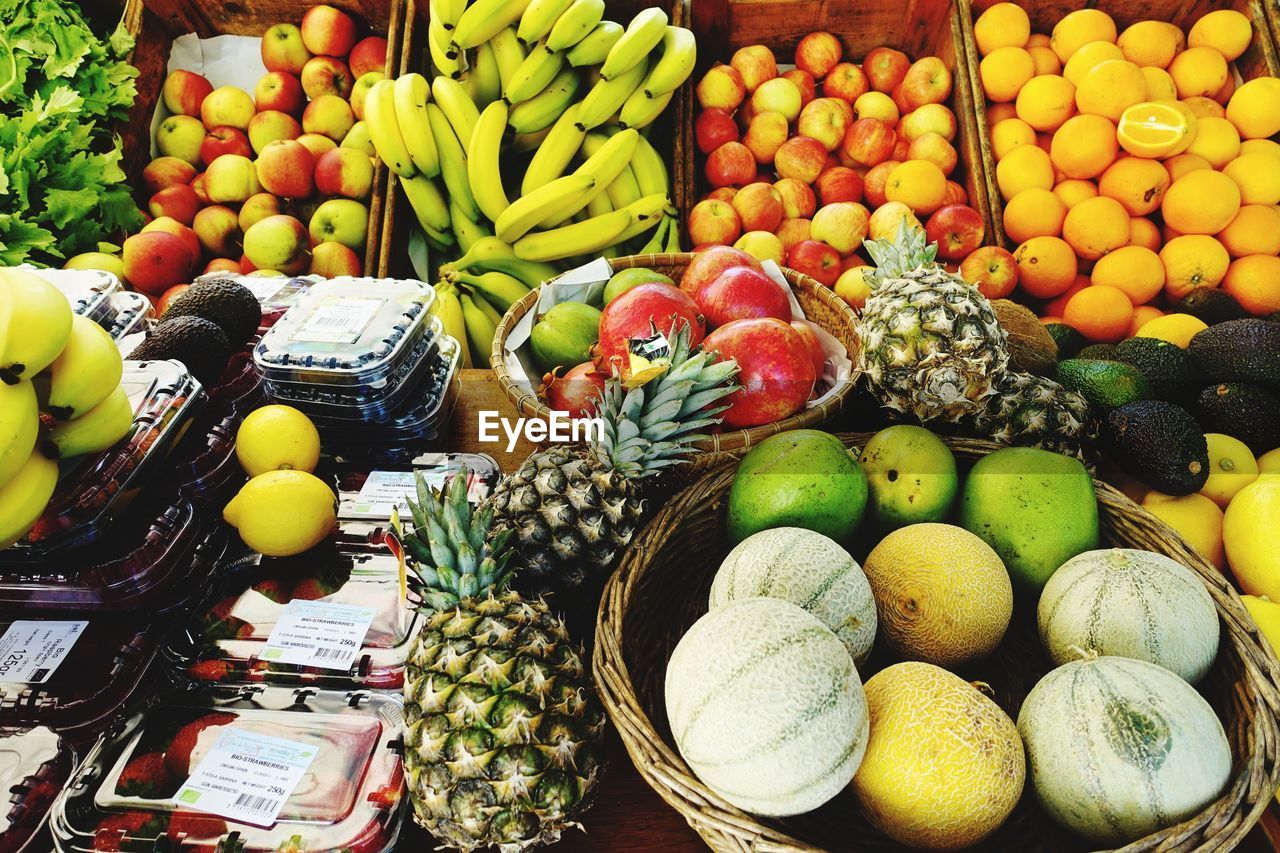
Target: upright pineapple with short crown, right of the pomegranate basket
931, 345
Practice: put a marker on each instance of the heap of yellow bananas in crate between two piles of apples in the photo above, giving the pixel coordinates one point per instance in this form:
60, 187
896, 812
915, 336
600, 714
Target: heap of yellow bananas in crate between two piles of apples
532, 131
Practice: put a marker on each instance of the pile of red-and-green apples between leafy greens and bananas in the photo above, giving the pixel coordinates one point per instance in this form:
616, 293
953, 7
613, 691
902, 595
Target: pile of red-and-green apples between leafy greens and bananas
276, 181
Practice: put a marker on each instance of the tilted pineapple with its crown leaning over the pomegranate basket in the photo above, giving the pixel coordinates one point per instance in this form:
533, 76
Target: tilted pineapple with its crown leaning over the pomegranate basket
573, 509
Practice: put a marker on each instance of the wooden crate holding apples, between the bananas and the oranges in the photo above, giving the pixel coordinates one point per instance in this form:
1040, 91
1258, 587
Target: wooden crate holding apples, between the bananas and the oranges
921, 29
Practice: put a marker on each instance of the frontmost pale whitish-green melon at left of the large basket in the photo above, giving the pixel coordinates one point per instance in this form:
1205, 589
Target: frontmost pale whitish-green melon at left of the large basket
766, 708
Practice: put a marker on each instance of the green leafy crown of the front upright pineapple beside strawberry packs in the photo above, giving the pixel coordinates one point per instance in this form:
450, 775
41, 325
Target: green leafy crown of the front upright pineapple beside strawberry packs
455, 551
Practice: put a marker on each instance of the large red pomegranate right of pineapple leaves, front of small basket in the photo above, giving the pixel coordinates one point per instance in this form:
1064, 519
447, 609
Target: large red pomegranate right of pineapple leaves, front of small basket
775, 371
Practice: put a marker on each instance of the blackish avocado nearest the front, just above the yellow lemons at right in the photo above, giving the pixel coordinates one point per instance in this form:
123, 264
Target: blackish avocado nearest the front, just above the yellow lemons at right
1159, 444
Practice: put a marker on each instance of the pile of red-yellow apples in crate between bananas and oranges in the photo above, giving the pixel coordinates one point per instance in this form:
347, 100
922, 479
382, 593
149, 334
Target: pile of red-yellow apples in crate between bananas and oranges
804, 180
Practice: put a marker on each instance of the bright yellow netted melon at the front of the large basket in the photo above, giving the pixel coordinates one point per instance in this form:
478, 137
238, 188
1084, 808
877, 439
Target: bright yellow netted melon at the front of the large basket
944, 767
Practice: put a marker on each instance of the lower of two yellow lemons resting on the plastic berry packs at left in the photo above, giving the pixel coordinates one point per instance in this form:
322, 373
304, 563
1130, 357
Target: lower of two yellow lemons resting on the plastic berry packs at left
281, 514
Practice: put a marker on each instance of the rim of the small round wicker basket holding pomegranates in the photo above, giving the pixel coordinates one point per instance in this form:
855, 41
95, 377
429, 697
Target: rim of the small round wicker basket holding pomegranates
529, 405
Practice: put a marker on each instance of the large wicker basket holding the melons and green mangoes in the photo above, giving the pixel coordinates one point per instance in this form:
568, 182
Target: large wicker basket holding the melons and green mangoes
661, 590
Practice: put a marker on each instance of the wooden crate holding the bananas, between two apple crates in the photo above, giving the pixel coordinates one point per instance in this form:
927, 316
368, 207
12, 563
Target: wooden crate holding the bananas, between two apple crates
666, 134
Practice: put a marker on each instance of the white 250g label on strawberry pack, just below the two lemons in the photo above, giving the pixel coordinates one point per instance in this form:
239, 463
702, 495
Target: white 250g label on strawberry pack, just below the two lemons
313, 633
